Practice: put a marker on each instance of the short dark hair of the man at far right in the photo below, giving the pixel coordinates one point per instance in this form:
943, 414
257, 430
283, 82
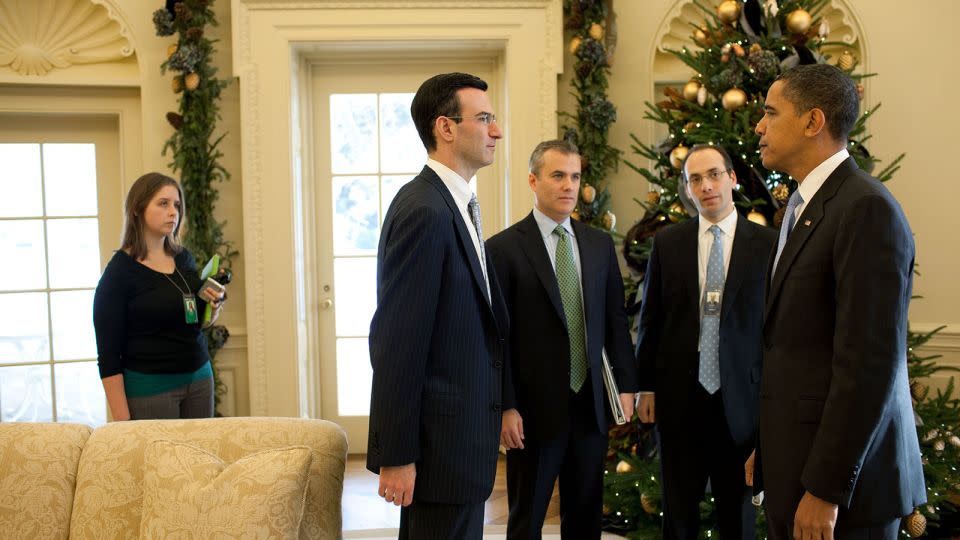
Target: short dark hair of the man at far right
825, 87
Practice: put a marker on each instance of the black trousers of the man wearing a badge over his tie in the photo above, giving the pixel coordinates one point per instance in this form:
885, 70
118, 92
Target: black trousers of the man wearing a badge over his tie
693, 453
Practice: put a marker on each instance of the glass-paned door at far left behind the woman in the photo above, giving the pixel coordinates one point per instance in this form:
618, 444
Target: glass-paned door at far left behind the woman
50, 244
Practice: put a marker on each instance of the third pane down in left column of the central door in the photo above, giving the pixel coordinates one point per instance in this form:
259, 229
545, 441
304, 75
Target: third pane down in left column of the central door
356, 294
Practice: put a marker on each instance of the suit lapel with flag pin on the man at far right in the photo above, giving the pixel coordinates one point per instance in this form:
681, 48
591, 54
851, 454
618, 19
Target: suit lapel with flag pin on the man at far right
806, 224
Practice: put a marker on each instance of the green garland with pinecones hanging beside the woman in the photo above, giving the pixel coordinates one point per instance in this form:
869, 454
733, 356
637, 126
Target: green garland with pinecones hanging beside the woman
195, 150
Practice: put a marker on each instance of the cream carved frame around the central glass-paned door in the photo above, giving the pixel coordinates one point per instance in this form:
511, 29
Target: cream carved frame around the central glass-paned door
269, 37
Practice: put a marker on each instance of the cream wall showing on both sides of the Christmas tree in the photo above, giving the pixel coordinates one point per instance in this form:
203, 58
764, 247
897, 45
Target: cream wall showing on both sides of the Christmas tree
910, 48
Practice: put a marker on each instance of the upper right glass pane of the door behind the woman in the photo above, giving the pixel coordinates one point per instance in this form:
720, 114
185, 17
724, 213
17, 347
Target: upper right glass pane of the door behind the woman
70, 179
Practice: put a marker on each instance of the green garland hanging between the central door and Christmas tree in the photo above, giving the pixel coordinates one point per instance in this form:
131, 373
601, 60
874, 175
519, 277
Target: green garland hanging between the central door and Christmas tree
592, 44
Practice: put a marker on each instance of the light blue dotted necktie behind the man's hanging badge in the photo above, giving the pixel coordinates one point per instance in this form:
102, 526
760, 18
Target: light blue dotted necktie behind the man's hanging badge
710, 322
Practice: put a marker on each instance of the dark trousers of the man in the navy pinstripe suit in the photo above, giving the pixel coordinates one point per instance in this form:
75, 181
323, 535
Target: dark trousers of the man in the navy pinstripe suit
437, 521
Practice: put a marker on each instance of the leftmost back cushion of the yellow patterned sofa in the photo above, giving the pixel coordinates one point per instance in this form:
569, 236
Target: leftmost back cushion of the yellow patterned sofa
38, 473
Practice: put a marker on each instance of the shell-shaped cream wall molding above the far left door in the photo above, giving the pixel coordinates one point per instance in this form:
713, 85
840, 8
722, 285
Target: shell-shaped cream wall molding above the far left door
38, 36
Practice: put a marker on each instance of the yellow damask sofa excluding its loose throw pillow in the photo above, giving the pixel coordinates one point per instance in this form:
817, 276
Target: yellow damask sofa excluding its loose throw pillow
109, 481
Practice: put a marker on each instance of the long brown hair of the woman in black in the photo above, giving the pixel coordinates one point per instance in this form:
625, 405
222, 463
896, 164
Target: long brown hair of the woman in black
141, 193
